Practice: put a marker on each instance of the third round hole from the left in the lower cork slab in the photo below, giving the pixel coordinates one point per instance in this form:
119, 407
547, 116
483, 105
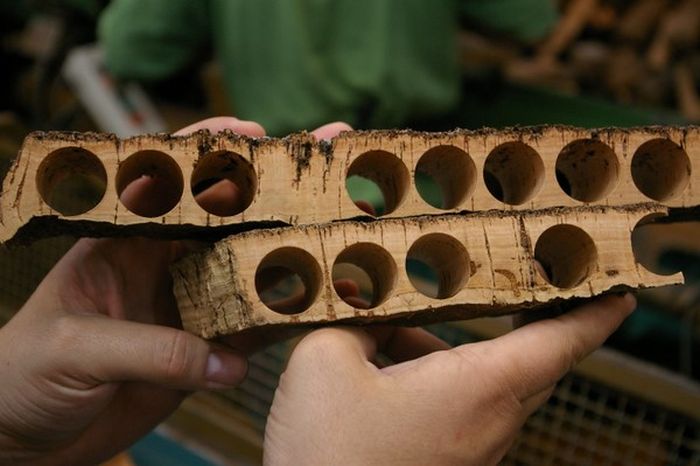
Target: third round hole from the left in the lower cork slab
437, 265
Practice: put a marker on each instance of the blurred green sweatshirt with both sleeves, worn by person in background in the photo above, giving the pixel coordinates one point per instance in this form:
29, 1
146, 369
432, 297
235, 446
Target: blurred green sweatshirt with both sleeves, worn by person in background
296, 64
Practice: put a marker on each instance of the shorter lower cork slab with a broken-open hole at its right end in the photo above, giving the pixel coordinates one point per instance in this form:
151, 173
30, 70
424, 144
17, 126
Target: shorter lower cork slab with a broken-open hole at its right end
485, 266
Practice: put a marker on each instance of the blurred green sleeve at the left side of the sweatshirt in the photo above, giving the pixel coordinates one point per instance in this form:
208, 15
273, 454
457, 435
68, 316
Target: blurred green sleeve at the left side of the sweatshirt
152, 39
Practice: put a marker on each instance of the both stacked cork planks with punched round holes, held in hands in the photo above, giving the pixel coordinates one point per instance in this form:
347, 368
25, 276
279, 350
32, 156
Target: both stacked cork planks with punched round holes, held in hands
524, 217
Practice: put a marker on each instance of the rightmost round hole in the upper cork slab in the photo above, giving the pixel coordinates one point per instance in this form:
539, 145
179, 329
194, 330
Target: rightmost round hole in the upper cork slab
661, 169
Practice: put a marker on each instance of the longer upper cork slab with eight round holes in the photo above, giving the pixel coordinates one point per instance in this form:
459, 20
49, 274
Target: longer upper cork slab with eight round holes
298, 181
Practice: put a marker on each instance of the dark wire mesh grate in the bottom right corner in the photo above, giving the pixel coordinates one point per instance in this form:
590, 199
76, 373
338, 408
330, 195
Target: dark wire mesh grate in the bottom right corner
586, 423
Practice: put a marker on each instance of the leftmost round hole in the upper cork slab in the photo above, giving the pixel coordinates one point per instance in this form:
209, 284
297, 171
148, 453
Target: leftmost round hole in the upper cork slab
71, 180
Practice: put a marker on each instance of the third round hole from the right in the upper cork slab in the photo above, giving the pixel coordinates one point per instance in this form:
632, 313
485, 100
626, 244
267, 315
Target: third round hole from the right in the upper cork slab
513, 173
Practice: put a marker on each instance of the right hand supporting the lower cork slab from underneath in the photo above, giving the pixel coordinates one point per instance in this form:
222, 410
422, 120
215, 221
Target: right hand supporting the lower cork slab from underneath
437, 405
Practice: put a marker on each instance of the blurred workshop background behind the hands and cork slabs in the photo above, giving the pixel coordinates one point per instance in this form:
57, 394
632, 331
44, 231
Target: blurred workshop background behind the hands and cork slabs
135, 66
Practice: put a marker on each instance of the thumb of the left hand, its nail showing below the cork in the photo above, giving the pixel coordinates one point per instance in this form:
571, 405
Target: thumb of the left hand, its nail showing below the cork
109, 350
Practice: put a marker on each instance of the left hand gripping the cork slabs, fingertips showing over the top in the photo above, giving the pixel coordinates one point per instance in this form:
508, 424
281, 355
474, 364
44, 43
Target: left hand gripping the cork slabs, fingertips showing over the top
95, 359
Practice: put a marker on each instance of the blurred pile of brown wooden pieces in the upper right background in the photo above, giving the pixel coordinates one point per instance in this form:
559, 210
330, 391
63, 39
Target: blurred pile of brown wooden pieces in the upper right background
626, 51
